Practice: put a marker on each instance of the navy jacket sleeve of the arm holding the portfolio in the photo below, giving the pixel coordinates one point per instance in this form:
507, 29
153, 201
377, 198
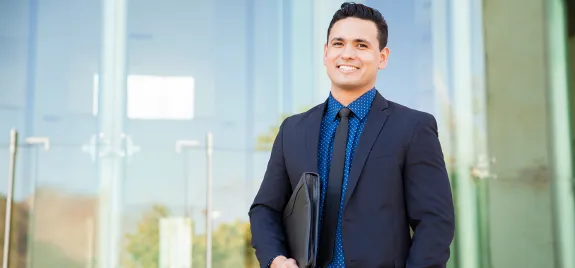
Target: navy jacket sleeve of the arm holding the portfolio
268, 238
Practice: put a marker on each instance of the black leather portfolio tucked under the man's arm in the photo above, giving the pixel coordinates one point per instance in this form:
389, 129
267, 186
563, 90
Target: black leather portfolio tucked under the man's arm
301, 220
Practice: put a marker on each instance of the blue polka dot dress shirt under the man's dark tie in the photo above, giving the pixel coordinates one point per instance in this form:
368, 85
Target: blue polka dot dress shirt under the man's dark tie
360, 109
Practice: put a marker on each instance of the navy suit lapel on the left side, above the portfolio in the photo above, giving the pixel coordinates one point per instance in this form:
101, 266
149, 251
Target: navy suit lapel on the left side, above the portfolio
312, 128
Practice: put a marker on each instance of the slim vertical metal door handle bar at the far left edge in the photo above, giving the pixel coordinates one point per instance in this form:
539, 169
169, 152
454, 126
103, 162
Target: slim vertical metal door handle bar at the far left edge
9, 199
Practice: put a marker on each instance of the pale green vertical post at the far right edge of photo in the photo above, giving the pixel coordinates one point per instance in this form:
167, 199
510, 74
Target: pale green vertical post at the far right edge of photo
560, 141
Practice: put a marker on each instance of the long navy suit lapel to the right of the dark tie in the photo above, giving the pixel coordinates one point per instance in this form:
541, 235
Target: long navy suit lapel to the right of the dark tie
376, 119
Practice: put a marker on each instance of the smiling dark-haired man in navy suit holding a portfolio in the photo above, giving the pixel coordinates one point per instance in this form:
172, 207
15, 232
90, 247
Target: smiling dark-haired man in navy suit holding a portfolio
380, 163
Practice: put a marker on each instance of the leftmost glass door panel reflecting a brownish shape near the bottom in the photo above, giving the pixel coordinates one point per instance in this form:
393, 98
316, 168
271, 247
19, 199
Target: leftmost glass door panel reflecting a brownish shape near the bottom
46, 93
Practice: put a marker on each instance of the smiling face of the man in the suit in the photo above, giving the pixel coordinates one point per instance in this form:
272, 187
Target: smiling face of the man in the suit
352, 56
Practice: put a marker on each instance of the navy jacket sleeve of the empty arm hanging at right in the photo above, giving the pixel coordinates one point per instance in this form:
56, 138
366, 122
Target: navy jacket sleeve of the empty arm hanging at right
428, 197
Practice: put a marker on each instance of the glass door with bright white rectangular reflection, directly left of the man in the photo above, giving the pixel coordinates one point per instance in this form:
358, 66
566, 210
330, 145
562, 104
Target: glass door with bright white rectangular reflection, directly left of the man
200, 90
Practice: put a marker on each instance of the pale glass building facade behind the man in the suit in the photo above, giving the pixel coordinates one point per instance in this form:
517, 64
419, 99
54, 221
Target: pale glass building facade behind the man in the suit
136, 133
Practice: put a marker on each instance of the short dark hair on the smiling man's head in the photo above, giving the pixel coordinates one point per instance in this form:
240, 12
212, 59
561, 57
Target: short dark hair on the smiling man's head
360, 11
